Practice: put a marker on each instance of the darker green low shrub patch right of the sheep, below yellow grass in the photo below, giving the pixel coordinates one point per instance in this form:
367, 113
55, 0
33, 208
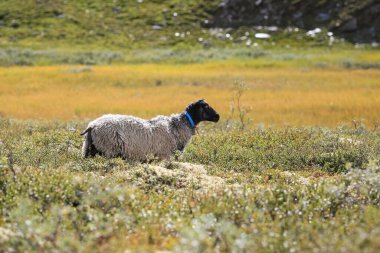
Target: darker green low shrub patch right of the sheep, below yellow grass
285, 148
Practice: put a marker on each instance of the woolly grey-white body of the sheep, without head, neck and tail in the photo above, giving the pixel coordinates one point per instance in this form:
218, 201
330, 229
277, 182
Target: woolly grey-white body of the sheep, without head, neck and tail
131, 137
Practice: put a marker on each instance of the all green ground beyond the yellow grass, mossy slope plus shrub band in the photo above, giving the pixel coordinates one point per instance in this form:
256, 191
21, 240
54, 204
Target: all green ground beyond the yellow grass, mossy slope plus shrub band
48, 32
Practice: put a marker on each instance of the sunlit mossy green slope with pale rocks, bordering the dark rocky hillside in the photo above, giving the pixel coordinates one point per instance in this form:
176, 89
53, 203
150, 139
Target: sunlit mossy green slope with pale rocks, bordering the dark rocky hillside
135, 25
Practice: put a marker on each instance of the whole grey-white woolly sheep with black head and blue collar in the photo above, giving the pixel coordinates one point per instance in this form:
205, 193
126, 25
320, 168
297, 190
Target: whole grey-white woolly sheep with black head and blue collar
137, 139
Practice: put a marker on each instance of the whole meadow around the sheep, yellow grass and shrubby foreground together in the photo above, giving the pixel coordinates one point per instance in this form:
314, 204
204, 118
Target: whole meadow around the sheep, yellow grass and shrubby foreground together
293, 166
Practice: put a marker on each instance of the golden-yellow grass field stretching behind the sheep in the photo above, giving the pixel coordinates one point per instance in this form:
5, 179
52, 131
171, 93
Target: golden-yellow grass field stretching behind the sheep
287, 95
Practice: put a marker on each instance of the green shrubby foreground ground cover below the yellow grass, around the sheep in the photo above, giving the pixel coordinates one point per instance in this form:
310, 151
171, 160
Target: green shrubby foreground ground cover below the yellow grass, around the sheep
294, 189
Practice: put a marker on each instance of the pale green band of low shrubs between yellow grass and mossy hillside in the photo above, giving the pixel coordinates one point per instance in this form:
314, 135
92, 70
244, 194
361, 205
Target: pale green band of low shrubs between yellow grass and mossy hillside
320, 58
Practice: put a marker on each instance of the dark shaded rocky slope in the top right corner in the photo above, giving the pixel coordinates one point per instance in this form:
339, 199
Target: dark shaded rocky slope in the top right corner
357, 20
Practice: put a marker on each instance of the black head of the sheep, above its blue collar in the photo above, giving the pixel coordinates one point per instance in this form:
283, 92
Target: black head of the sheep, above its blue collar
202, 111
